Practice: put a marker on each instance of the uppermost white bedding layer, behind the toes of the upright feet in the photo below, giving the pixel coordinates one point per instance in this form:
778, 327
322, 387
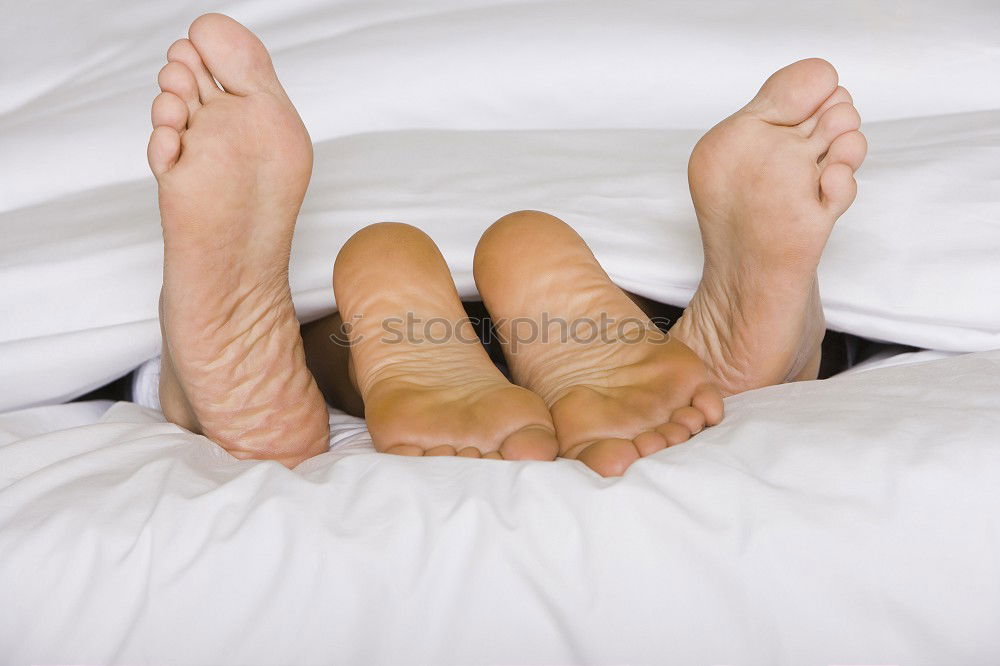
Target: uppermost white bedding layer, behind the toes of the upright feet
77, 78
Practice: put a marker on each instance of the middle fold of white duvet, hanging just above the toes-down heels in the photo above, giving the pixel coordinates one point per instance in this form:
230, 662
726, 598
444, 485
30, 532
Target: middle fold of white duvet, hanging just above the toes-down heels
914, 261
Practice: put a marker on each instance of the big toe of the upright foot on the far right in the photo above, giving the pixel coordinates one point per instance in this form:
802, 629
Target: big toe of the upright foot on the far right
793, 93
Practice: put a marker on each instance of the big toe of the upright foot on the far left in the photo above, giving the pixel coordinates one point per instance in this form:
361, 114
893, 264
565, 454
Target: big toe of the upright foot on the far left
233, 54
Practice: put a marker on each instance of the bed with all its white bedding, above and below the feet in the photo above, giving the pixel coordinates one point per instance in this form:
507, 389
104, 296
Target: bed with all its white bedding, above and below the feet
851, 520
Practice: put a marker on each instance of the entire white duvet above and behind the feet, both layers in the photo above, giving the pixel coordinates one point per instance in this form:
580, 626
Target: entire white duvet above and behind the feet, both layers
618, 91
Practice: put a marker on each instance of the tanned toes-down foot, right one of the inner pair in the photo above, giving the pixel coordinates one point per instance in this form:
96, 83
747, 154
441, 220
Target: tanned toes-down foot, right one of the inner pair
617, 387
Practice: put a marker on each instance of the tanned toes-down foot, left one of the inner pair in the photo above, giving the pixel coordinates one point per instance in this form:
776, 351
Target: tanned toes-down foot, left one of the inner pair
428, 384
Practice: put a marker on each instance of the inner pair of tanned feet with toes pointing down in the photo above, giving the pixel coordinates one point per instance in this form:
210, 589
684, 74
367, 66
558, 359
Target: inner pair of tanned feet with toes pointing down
595, 379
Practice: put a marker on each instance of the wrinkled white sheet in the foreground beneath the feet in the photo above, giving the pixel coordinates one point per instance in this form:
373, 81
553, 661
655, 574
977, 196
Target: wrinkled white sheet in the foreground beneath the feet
854, 520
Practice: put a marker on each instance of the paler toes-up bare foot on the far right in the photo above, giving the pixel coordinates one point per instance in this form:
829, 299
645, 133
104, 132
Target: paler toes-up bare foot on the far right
768, 183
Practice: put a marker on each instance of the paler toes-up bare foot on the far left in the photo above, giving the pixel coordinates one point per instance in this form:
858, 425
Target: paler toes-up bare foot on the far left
232, 167
